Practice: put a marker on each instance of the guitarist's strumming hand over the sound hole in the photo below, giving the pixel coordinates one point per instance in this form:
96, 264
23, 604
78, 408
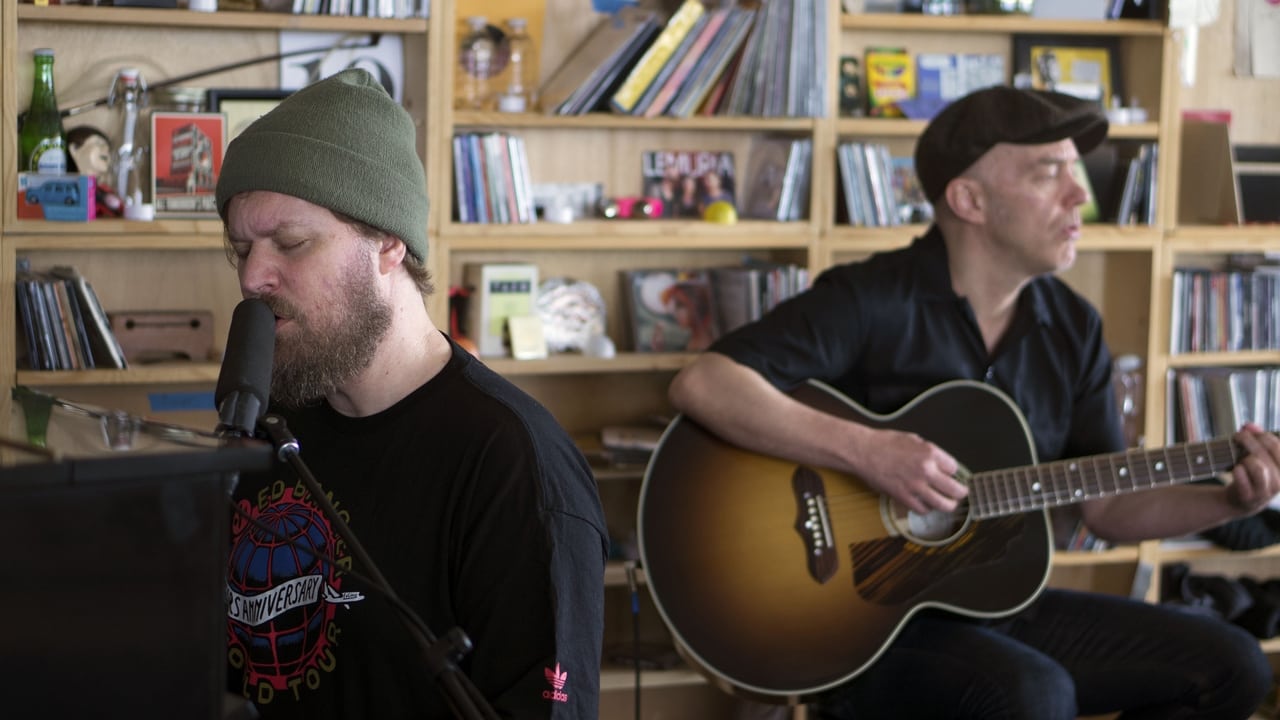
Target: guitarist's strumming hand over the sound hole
915, 472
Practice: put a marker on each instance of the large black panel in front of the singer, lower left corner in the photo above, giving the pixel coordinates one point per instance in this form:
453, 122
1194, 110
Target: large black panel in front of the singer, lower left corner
115, 575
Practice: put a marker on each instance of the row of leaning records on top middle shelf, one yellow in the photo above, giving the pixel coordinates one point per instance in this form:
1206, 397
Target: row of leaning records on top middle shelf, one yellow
729, 60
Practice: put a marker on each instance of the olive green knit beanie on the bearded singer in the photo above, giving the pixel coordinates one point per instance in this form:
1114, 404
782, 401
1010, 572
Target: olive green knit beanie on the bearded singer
342, 144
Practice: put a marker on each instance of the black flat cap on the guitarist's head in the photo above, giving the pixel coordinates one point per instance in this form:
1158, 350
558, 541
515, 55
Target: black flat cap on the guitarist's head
970, 127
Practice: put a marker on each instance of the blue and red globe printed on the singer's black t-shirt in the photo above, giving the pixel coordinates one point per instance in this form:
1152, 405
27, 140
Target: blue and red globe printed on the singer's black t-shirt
296, 544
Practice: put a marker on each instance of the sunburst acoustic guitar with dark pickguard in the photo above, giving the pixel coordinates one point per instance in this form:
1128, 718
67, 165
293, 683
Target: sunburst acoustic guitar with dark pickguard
780, 581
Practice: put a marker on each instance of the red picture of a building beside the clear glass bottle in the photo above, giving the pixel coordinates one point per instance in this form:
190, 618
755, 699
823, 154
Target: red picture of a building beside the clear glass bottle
186, 158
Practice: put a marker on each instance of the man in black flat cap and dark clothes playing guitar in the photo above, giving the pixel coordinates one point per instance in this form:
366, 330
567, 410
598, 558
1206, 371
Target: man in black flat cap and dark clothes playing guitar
976, 298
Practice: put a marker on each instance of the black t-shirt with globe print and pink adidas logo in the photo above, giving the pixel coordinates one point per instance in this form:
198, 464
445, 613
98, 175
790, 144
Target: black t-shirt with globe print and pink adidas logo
479, 512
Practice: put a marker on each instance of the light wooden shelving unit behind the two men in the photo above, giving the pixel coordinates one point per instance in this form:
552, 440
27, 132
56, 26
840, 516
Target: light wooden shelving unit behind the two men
176, 263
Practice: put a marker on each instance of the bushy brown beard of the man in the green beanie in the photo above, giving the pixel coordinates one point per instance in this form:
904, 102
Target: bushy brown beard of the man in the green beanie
322, 354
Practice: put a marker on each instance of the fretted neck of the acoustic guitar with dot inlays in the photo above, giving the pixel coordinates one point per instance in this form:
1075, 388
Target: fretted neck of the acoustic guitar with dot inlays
1067, 482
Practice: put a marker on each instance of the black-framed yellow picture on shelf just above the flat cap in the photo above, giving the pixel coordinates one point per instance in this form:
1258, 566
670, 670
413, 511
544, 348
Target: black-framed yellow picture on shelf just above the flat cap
1086, 67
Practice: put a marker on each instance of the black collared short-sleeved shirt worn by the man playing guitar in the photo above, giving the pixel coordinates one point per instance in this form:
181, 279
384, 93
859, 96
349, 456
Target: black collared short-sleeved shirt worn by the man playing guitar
889, 329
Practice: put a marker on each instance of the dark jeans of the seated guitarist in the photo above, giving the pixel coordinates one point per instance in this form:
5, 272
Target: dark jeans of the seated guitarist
1066, 655
